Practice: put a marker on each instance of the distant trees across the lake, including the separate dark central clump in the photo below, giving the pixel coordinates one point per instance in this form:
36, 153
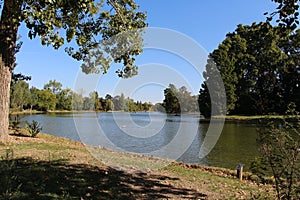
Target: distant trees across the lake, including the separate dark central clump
54, 97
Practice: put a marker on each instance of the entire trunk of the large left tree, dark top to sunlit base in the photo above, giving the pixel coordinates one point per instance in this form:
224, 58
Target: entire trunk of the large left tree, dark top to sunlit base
9, 23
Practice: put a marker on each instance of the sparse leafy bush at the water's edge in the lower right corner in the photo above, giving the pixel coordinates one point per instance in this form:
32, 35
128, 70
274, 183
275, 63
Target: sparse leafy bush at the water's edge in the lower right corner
280, 148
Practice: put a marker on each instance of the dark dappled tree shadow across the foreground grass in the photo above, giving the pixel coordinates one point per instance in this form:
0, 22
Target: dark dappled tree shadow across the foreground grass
30, 179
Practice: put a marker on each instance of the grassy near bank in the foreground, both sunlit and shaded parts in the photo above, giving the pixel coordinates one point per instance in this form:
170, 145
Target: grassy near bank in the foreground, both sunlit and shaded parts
48, 167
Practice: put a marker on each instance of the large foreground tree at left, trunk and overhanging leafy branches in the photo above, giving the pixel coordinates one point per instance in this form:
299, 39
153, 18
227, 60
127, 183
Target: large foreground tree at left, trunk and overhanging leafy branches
85, 23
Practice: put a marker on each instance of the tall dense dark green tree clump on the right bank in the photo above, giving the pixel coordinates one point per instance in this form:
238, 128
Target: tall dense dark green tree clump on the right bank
259, 65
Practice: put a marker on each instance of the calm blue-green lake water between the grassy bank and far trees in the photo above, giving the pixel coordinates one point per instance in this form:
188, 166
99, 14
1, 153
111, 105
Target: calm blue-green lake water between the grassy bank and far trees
175, 137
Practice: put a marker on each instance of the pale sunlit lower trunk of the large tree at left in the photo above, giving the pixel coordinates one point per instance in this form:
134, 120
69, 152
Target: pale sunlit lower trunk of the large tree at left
5, 78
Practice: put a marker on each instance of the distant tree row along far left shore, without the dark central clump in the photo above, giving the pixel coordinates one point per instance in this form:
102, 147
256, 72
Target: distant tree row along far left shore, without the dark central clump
54, 97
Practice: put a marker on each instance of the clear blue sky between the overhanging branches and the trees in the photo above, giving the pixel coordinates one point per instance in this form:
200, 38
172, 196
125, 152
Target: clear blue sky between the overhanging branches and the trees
181, 34
